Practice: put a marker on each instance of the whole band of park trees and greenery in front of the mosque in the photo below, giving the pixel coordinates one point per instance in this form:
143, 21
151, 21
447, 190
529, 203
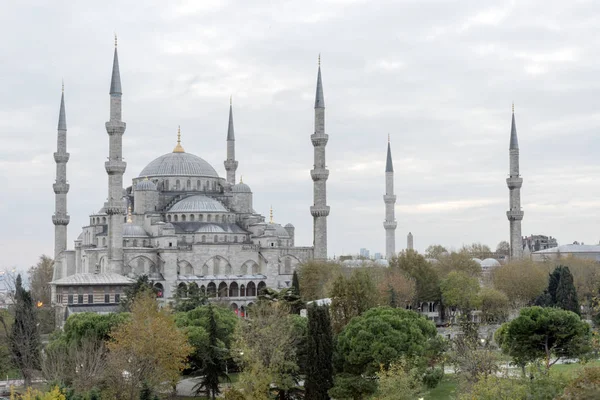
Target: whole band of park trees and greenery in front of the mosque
503, 334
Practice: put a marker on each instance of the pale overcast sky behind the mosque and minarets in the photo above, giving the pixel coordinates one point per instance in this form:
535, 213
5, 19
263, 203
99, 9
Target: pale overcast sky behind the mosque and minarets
438, 76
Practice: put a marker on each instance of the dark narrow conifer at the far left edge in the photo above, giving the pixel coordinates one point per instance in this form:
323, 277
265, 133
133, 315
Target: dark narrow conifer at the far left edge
24, 338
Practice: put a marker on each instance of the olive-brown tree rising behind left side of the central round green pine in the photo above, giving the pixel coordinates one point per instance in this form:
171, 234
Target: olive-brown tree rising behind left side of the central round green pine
350, 297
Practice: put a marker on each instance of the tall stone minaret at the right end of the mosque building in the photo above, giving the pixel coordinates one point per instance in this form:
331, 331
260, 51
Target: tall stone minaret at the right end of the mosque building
319, 210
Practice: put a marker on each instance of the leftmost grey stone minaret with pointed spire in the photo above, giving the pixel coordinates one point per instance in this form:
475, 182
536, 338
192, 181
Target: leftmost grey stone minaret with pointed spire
61, 187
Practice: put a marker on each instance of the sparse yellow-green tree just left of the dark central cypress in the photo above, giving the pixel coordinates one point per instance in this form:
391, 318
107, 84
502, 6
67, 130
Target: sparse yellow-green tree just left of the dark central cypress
266, 347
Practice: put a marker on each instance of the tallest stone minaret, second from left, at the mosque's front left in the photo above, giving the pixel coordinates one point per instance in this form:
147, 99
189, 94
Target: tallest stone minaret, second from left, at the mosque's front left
115, 167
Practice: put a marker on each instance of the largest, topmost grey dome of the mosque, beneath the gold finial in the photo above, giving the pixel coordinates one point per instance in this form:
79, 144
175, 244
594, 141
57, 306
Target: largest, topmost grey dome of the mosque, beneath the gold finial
179, 164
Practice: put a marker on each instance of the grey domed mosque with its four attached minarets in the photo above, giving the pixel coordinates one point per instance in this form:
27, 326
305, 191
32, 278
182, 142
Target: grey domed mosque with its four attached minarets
180, 223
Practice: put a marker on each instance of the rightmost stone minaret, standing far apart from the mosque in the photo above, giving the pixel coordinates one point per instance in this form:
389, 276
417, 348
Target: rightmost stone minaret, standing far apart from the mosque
514, 182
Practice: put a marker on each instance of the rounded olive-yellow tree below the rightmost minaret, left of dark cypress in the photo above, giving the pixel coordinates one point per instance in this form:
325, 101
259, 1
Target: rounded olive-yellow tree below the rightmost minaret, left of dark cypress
522, 281
